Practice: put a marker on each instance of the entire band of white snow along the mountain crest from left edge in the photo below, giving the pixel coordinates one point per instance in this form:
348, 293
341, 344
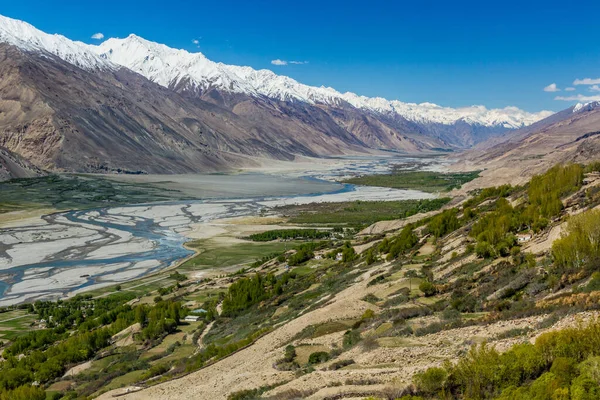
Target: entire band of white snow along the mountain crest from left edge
171, 67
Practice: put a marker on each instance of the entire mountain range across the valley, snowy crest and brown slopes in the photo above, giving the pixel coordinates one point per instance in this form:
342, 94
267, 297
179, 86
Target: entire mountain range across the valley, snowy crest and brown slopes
135, 106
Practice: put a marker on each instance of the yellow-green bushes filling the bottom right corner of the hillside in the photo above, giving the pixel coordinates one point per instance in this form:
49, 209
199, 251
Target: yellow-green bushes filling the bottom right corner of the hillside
560, 365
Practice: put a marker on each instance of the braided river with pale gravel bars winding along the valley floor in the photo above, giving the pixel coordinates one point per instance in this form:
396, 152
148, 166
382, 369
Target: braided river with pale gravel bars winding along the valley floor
67, 253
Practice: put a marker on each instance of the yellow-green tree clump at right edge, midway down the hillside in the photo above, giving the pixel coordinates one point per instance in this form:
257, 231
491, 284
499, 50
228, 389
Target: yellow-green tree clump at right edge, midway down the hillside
580, 245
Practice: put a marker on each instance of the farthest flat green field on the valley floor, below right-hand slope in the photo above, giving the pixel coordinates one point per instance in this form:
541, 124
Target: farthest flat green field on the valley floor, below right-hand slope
426, 181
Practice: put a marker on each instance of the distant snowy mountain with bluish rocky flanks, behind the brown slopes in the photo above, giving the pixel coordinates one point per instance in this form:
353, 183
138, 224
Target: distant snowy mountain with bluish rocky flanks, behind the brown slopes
197, 76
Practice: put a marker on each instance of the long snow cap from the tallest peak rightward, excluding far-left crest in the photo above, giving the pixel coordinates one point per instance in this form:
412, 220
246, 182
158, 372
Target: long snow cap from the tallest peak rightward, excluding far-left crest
168, 67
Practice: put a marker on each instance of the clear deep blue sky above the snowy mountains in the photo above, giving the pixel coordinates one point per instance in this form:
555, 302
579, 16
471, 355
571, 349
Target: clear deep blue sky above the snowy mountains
453, 53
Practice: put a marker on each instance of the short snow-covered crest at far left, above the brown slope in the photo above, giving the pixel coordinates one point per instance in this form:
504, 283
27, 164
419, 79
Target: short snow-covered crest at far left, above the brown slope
27, 37
